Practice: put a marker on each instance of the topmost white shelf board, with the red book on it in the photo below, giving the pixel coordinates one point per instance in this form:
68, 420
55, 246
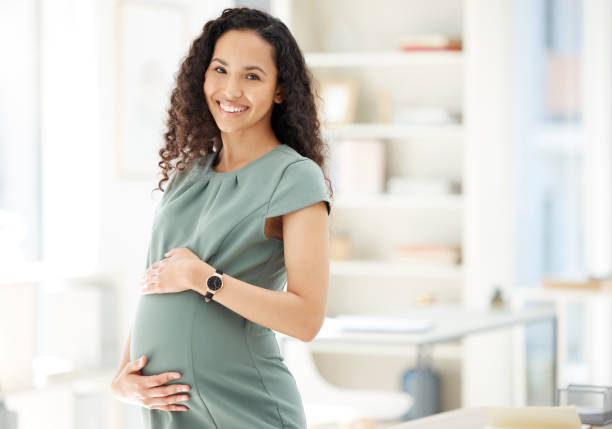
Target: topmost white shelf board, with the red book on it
382, 59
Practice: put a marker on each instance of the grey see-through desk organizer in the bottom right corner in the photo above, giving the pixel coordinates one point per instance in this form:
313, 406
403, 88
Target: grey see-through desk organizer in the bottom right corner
593, 403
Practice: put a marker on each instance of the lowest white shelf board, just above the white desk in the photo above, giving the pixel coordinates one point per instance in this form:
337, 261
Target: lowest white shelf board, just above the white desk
372, 268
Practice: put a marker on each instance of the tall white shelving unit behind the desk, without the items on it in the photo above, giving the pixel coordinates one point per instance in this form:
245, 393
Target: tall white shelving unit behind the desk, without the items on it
371, 280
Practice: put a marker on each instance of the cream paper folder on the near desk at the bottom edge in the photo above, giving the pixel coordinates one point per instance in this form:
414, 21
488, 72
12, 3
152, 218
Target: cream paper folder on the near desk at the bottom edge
532, 418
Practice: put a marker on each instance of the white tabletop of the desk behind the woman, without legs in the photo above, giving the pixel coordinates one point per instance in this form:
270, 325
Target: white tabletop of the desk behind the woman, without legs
450, 323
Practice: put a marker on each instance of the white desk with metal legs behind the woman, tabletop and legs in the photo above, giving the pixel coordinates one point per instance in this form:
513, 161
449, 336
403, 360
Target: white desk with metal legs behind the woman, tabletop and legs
450, 323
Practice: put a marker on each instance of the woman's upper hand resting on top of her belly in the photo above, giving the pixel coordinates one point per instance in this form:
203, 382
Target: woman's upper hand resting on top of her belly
173, 274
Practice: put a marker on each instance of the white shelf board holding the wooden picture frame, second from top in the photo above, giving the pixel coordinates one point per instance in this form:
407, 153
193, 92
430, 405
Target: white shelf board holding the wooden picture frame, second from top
394, 131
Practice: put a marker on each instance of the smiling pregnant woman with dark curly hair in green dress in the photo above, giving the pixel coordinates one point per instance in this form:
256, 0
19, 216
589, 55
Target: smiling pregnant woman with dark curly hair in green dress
246, 210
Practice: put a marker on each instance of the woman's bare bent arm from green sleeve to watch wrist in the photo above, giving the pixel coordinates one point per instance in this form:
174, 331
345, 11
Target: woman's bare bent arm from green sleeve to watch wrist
300, 311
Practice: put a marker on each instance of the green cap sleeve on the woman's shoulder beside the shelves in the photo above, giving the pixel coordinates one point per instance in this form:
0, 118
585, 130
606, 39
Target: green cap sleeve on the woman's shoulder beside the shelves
301, 185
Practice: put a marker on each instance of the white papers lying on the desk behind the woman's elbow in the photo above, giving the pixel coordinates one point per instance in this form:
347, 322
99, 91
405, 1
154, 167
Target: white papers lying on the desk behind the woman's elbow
382, 324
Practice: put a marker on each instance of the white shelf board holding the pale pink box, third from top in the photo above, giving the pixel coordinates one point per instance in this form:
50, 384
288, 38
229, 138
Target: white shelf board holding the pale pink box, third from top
390, 201
